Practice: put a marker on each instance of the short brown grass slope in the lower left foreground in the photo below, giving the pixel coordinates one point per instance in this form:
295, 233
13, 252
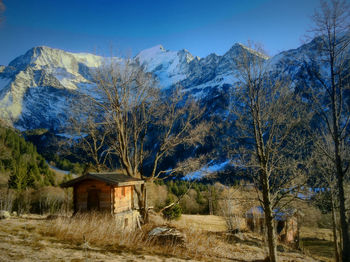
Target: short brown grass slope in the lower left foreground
20, 240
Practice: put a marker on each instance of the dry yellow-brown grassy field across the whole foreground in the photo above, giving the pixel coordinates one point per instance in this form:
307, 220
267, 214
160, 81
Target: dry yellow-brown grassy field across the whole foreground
89, 238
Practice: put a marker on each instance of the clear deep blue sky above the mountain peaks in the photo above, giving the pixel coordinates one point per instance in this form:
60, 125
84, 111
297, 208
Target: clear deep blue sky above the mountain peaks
129, 26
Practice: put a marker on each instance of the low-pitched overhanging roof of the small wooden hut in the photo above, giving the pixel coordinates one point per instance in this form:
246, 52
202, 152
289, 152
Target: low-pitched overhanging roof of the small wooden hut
111, 178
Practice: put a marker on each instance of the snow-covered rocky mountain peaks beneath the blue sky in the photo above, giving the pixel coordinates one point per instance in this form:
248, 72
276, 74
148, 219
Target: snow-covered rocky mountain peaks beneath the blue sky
35, 88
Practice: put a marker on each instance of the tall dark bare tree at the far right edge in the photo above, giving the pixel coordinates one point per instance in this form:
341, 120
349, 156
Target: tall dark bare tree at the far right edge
331, 25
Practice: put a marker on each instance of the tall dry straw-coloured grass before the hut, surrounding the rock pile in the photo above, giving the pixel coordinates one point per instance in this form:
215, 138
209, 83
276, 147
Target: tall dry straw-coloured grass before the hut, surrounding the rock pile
100, 231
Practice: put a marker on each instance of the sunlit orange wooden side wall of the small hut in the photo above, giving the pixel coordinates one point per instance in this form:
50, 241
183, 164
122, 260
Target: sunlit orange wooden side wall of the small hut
123, 199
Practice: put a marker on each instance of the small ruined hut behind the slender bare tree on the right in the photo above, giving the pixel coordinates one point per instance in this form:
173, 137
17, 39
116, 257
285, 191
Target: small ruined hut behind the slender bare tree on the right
286, 223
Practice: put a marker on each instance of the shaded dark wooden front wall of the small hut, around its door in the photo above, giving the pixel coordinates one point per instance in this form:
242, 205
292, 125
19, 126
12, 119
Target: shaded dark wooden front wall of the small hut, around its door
81, 192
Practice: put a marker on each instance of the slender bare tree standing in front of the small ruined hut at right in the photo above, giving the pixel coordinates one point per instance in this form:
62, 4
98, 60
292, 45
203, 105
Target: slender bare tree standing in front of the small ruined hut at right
268, 118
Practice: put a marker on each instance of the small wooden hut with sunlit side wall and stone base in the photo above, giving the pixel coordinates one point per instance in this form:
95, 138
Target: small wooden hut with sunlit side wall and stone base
111, 192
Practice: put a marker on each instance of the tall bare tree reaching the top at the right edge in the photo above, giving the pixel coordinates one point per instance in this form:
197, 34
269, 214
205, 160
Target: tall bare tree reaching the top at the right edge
328, 95
